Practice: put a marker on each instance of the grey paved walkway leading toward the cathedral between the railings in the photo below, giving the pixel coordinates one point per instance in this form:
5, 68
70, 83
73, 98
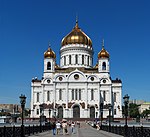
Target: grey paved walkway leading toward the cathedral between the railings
84, 131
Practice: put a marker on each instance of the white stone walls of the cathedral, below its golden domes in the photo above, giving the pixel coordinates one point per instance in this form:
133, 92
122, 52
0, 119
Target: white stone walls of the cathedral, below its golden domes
69, 82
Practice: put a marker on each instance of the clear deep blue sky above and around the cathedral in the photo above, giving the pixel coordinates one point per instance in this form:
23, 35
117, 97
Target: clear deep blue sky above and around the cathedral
26, 26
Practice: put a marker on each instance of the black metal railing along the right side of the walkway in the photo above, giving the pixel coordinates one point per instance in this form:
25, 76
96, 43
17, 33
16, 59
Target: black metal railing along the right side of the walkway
128, 131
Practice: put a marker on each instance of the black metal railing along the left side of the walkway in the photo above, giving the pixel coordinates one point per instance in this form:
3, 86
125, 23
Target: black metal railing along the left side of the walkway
28, 130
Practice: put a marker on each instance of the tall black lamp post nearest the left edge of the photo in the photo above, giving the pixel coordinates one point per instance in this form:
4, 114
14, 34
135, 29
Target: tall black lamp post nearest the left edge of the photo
22, 102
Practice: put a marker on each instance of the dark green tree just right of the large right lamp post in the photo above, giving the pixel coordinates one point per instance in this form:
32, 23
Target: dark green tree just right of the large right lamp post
134, 110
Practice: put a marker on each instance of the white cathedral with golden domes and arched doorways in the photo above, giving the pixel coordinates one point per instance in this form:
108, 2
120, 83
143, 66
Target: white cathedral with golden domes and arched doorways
76, 88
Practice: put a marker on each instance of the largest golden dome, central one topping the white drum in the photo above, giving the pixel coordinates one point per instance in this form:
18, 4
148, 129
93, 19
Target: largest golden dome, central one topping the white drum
76, 36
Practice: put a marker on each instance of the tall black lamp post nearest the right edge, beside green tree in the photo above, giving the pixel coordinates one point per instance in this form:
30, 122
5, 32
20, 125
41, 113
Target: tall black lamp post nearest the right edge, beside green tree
126, 102
